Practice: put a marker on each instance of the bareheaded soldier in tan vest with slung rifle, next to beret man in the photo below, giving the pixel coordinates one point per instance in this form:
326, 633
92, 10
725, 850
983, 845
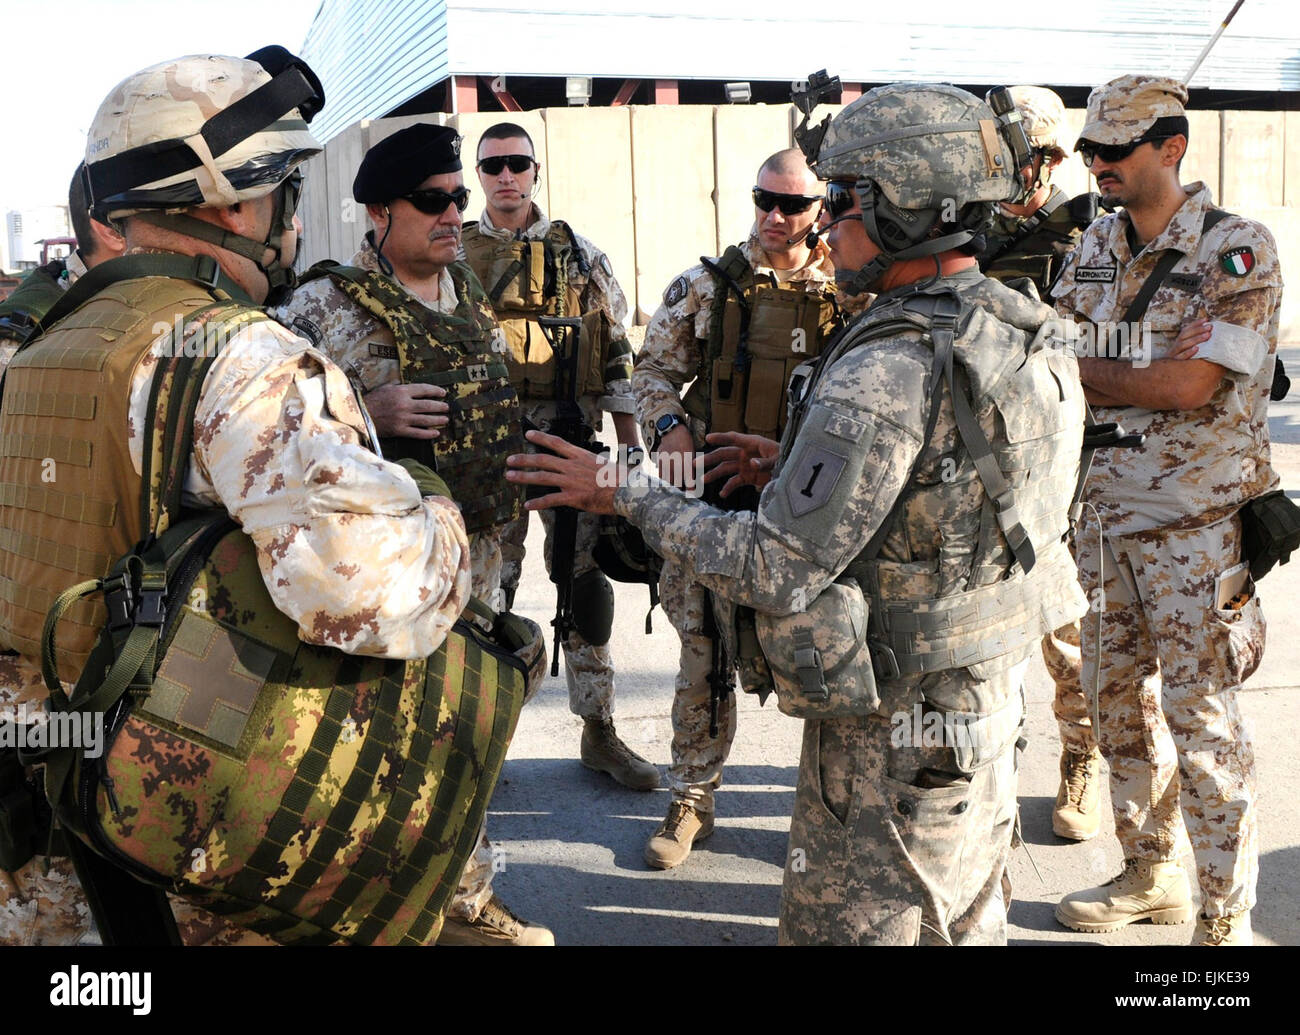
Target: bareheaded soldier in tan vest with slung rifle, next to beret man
535, 267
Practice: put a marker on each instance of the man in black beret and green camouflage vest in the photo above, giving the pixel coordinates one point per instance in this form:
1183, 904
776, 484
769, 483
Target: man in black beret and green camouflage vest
388, 322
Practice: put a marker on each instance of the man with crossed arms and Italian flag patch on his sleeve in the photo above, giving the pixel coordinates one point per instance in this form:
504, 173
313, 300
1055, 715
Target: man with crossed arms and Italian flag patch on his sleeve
1181, 627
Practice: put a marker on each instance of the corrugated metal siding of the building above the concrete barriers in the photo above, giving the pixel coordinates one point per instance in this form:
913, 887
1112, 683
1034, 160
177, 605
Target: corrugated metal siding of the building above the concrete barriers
374, 55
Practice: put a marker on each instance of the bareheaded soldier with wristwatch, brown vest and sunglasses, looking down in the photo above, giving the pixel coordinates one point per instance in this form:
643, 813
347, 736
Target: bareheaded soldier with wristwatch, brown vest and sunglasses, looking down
768, 304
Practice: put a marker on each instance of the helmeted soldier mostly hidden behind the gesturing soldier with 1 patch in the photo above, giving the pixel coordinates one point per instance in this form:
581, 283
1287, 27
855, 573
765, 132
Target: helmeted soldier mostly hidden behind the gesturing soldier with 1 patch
1029, 242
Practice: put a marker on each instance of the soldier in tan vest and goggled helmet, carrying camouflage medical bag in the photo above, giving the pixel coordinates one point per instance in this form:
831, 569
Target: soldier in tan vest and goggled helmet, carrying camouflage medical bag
279, 439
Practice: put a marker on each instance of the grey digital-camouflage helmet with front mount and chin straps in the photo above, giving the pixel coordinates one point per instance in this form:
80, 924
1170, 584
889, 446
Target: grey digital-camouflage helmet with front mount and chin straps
929, 162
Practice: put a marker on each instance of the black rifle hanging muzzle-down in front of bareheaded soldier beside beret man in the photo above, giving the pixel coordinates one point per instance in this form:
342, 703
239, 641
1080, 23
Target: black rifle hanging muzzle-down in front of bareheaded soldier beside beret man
571, 426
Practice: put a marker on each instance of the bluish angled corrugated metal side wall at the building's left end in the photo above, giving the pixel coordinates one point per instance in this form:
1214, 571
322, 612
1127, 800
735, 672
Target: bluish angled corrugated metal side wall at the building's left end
372, 55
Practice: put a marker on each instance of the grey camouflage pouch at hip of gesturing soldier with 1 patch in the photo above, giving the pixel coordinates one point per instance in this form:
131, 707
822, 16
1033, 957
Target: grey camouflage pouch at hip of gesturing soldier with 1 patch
820, 660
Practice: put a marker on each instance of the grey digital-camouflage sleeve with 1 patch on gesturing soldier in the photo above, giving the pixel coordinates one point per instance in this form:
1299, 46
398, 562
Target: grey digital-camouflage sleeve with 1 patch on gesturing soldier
846, 470
